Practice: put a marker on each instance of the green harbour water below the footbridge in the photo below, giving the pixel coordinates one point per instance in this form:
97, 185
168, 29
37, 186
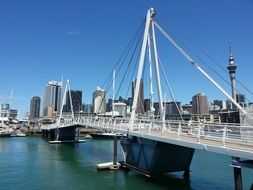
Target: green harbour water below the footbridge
32, 163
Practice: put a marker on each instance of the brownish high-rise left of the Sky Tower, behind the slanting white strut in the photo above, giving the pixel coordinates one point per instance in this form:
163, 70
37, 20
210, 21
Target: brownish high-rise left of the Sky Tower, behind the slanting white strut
200, 104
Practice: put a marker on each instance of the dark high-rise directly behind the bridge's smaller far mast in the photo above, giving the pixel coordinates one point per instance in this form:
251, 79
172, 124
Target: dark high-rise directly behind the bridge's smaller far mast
76, 97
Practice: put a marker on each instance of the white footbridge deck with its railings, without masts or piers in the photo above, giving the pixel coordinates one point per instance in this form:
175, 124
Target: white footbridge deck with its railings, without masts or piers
229, 139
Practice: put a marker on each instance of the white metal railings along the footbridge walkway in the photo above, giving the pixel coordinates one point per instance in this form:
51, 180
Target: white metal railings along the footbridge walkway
218, 134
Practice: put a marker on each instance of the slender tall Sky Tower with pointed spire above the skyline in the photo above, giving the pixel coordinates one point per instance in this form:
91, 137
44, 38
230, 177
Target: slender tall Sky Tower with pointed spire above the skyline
231, 68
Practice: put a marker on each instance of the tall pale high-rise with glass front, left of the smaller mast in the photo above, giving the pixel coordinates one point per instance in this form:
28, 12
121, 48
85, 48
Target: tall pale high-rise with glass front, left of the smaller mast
52, 98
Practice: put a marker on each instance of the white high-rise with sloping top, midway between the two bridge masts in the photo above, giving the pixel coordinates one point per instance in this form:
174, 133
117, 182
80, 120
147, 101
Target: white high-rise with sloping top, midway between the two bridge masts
99, 101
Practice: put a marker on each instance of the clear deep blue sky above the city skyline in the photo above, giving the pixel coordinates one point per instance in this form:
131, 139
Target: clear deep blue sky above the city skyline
82, 40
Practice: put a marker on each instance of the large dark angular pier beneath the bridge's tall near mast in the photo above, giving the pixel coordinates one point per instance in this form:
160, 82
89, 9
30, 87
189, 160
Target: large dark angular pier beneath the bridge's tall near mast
152, 157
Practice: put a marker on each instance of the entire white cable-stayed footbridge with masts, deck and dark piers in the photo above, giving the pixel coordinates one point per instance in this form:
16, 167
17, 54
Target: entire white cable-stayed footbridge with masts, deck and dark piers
156, 145
